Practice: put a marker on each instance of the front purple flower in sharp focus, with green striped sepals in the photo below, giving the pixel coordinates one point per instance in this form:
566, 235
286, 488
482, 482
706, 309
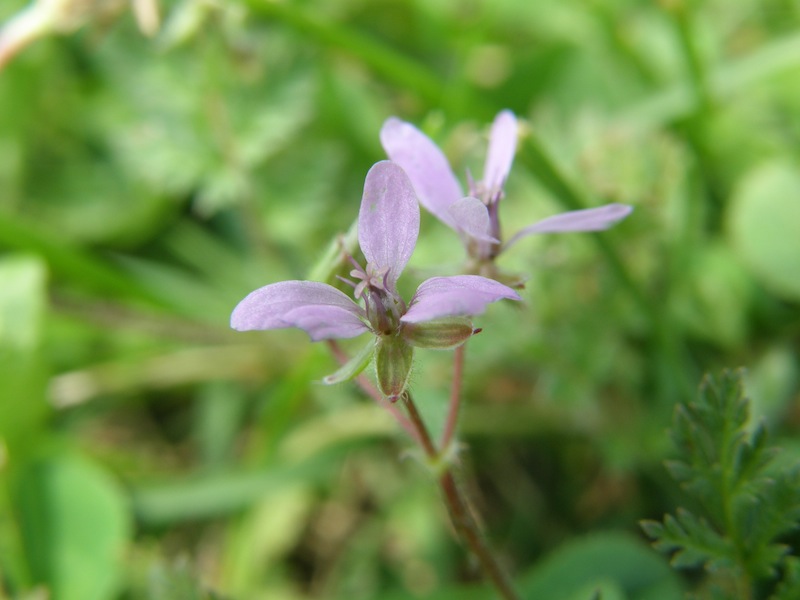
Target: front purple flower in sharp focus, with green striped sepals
436, 317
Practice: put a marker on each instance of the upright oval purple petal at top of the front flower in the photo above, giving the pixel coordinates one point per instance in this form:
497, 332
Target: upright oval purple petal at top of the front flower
388, 222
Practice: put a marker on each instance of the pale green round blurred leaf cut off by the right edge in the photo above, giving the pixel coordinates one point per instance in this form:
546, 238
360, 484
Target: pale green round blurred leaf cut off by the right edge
764, 226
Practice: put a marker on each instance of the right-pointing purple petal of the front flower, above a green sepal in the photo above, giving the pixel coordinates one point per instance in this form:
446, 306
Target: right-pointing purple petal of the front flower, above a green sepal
462, 295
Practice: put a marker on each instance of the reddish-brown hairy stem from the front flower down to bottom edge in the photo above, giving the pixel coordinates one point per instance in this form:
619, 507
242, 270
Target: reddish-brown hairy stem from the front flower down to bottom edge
460, 512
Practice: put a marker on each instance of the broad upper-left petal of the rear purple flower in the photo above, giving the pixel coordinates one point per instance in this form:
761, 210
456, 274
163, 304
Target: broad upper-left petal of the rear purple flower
426, 166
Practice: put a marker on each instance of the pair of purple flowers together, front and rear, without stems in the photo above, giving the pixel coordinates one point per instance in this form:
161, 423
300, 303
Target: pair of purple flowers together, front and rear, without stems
439, 314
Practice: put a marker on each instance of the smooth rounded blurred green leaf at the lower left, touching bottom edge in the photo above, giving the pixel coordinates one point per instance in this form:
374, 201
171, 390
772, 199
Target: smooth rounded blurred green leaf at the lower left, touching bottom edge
74, 526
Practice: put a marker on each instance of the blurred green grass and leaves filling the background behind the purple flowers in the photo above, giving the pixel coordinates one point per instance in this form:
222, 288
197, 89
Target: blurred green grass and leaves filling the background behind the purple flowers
148, 183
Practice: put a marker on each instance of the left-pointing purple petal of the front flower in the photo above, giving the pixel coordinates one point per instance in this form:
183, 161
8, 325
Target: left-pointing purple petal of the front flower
320, 310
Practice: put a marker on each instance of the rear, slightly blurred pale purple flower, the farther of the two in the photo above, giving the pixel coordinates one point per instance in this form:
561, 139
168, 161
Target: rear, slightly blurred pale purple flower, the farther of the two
475, 216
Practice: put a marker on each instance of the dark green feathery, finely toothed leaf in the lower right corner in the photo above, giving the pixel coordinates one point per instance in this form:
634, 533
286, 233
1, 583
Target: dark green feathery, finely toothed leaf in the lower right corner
748, 502
